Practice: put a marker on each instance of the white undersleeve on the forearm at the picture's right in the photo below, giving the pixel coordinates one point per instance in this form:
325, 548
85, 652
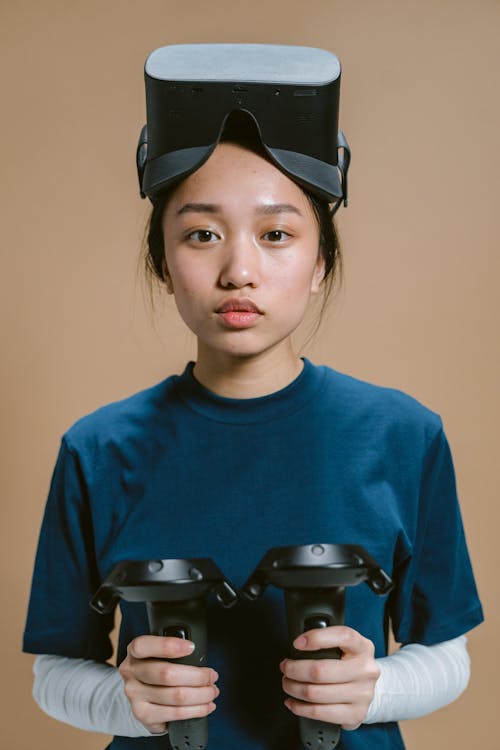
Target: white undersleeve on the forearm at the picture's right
418, 679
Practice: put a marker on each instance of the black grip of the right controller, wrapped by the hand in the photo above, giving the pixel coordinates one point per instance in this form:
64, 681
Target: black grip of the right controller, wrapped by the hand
307, 609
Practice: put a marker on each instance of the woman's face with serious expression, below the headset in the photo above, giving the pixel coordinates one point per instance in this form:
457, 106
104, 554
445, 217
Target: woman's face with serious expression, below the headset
241, 254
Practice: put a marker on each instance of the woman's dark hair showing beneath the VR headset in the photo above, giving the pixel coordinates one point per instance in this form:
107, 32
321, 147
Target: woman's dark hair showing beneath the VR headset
241, 129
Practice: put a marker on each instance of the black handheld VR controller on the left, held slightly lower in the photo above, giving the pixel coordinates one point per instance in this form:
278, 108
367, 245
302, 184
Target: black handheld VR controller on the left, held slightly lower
175, 593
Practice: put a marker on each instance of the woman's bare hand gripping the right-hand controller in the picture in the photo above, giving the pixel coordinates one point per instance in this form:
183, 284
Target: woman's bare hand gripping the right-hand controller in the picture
338, 691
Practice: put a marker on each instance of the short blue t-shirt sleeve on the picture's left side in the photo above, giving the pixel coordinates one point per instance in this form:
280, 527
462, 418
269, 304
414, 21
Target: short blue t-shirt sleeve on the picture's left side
60, 620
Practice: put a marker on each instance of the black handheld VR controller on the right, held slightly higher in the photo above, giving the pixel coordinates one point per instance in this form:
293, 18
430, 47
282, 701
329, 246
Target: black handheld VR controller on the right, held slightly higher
314, 578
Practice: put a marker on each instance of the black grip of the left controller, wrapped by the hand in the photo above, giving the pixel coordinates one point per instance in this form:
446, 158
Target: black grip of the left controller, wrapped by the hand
184, 619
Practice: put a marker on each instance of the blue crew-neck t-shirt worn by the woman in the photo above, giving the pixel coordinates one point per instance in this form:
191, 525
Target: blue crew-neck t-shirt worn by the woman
177, 471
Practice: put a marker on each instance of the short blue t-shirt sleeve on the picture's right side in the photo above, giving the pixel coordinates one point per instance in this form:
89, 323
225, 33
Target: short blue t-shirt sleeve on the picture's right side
435, 596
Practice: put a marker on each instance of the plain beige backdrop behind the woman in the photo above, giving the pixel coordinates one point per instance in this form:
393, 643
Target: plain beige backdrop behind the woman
418, 311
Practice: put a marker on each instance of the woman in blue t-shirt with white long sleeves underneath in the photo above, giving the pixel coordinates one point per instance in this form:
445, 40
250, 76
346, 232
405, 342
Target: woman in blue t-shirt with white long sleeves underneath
250, 448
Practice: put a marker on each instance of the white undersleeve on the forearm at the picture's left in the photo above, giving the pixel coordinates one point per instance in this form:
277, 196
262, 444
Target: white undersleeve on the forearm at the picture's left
86, 694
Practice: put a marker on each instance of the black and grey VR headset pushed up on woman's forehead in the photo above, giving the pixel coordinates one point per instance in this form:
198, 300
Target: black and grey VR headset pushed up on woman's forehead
290, 94
